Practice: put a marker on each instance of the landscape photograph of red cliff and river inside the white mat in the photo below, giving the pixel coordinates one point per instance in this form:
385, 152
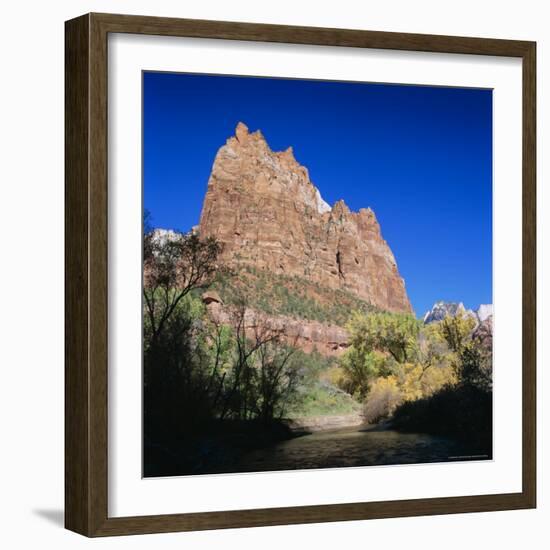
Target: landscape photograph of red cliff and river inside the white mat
317, 286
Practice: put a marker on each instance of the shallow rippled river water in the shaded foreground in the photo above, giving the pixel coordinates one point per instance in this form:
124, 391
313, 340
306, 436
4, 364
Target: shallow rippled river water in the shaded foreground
355, 447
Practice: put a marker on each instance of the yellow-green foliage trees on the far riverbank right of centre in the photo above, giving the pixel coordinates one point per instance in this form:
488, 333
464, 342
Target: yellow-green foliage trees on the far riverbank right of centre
392, 358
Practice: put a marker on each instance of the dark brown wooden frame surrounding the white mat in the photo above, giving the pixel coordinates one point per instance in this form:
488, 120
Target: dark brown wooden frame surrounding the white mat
86, 274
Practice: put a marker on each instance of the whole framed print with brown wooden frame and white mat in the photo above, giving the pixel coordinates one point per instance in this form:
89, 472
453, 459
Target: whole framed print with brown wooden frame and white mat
300, 275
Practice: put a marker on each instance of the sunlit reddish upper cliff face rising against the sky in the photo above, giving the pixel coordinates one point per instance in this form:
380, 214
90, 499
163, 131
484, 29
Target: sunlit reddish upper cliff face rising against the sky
268, 214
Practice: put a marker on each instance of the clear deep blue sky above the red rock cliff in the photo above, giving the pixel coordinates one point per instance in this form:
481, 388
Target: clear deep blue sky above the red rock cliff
419, 156
